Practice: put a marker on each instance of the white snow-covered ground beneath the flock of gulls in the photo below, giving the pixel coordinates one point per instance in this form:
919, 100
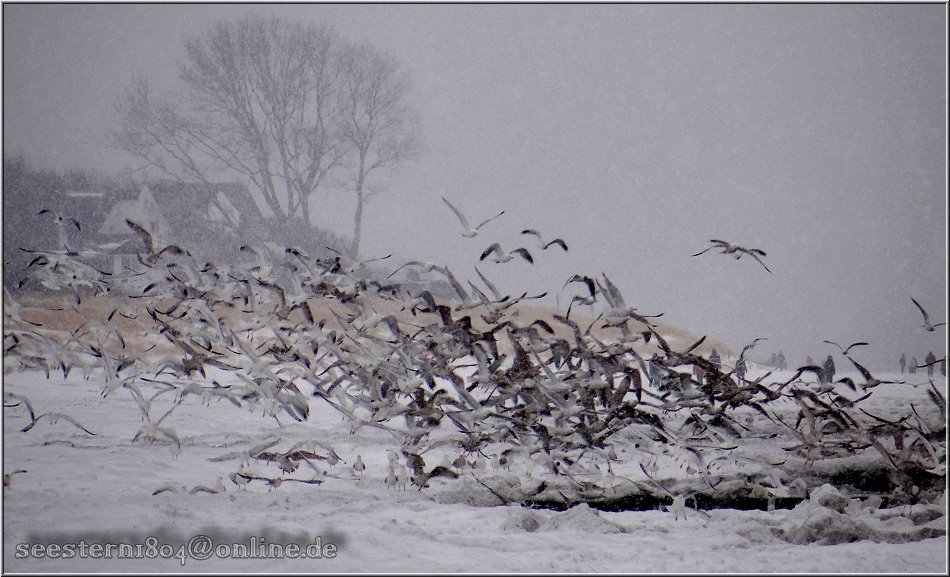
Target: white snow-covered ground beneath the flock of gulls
99, 489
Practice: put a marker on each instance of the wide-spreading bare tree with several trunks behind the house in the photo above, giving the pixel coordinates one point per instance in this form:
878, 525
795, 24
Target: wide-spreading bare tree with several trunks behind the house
258, 102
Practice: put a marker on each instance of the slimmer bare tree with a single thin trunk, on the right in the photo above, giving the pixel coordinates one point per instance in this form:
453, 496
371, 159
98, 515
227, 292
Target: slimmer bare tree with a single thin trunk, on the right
376, 123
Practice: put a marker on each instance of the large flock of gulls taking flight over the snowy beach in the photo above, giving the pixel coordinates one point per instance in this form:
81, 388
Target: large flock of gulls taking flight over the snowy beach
464, 377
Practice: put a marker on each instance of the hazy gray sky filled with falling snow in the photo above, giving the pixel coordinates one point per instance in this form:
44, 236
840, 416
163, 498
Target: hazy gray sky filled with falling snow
636, 132
